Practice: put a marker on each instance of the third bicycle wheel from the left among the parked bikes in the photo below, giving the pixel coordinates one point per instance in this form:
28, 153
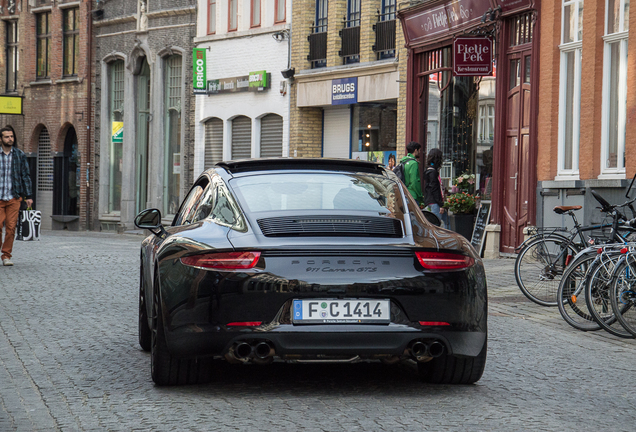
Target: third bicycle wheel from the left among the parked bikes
597, 294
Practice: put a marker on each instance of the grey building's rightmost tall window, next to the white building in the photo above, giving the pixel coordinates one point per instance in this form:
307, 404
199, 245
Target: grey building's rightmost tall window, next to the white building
172, 155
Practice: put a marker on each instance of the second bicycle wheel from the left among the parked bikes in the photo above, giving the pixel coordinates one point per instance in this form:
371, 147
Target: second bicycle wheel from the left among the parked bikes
572, 294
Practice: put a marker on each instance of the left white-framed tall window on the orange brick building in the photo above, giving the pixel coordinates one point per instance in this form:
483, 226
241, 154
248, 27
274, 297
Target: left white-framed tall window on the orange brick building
570, 88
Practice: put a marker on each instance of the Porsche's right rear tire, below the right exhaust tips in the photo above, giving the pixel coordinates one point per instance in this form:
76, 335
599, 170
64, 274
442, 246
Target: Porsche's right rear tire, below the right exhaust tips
448, 369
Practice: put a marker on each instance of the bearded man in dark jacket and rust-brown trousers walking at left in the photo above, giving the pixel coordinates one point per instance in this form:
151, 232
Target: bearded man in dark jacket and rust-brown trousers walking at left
15, 185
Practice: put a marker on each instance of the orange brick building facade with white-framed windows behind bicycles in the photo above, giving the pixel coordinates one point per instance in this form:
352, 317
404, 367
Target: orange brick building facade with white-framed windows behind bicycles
587, 102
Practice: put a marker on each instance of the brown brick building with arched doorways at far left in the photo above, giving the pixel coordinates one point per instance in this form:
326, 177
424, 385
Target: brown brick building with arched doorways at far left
46, 61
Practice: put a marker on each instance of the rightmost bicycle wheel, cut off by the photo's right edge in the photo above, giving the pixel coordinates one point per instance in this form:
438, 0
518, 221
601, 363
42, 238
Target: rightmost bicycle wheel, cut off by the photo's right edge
623, 294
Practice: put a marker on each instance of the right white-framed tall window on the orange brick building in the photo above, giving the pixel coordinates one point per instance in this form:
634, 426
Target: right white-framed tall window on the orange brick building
614, 87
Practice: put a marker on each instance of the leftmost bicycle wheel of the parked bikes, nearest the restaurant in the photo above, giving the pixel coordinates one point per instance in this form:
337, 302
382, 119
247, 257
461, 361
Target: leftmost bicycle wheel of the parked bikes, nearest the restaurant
539, 268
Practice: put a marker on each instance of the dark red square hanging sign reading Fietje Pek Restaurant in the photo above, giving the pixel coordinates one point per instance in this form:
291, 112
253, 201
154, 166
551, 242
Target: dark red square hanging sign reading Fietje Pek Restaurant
472, 56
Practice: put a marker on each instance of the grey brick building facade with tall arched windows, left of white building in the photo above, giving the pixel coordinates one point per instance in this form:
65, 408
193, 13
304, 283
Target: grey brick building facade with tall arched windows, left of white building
144, 107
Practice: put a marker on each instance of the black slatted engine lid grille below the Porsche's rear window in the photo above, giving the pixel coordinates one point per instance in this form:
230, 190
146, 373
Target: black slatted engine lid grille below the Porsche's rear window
347, 226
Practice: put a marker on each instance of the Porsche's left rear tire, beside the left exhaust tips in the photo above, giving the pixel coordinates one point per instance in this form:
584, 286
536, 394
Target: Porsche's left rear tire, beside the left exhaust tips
165, 368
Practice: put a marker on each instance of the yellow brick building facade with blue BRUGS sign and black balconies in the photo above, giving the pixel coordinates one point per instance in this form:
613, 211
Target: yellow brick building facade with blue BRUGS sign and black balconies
352, 43
